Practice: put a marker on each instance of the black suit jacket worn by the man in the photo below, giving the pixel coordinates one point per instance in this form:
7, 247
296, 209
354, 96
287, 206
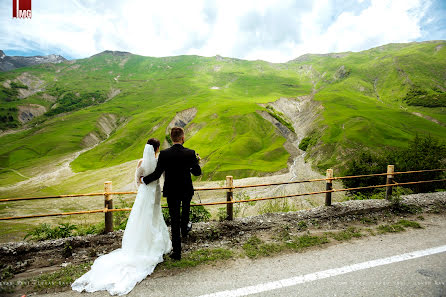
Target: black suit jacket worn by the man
178, 163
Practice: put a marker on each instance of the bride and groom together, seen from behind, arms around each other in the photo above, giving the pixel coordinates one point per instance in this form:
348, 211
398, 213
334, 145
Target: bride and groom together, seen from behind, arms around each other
146, 238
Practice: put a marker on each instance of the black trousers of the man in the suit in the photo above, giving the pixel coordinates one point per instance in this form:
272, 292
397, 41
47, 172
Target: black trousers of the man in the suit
178, 222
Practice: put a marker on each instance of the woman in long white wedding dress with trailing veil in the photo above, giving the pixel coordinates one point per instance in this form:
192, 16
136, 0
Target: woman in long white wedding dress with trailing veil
145, 241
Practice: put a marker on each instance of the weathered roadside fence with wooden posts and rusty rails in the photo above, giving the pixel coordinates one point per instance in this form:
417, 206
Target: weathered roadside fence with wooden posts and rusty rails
229, 188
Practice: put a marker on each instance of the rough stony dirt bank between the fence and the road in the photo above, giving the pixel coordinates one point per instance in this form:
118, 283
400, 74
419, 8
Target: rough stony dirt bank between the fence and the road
28, 259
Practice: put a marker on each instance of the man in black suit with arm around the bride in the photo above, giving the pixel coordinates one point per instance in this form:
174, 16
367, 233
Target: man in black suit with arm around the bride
178, 163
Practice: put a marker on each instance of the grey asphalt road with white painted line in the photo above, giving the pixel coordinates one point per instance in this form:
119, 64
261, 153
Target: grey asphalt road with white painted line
401, 264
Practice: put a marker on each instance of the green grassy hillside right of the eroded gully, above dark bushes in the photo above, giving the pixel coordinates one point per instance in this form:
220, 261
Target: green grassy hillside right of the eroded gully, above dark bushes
363, 97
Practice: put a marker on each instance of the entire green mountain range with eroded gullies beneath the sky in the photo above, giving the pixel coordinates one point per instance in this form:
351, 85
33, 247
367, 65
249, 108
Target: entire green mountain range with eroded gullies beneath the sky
108, 105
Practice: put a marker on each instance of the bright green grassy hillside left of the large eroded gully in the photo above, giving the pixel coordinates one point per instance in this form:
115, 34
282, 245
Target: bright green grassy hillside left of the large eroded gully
152, 91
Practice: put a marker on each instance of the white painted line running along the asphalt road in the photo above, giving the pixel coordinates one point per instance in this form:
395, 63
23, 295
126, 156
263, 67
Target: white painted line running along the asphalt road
325, 274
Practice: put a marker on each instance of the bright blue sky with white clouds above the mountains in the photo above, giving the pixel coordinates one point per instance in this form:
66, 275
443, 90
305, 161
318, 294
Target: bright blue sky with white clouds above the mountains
270, 30
